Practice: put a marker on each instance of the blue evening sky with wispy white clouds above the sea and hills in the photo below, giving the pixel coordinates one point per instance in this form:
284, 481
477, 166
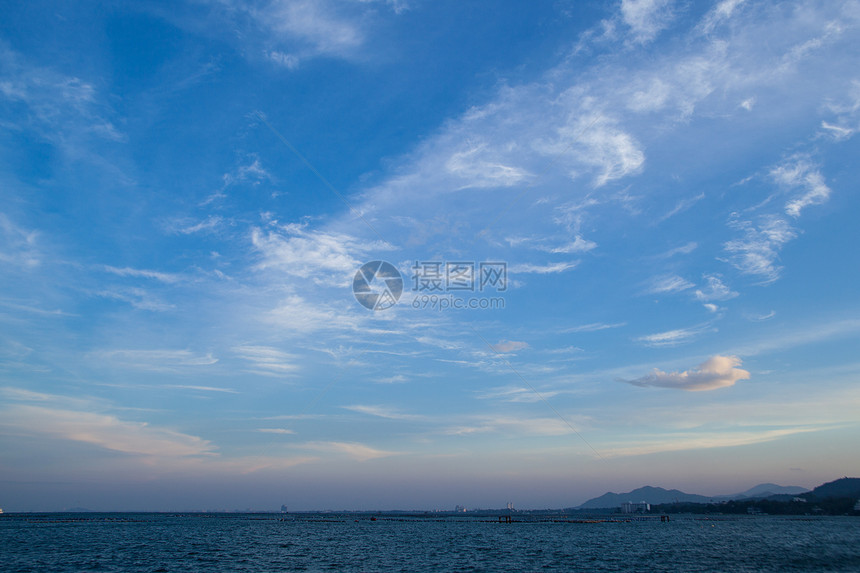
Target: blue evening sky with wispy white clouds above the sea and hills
611, 244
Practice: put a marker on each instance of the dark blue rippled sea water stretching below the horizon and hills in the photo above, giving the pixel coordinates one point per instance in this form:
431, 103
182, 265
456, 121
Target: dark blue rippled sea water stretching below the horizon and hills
349, 542
